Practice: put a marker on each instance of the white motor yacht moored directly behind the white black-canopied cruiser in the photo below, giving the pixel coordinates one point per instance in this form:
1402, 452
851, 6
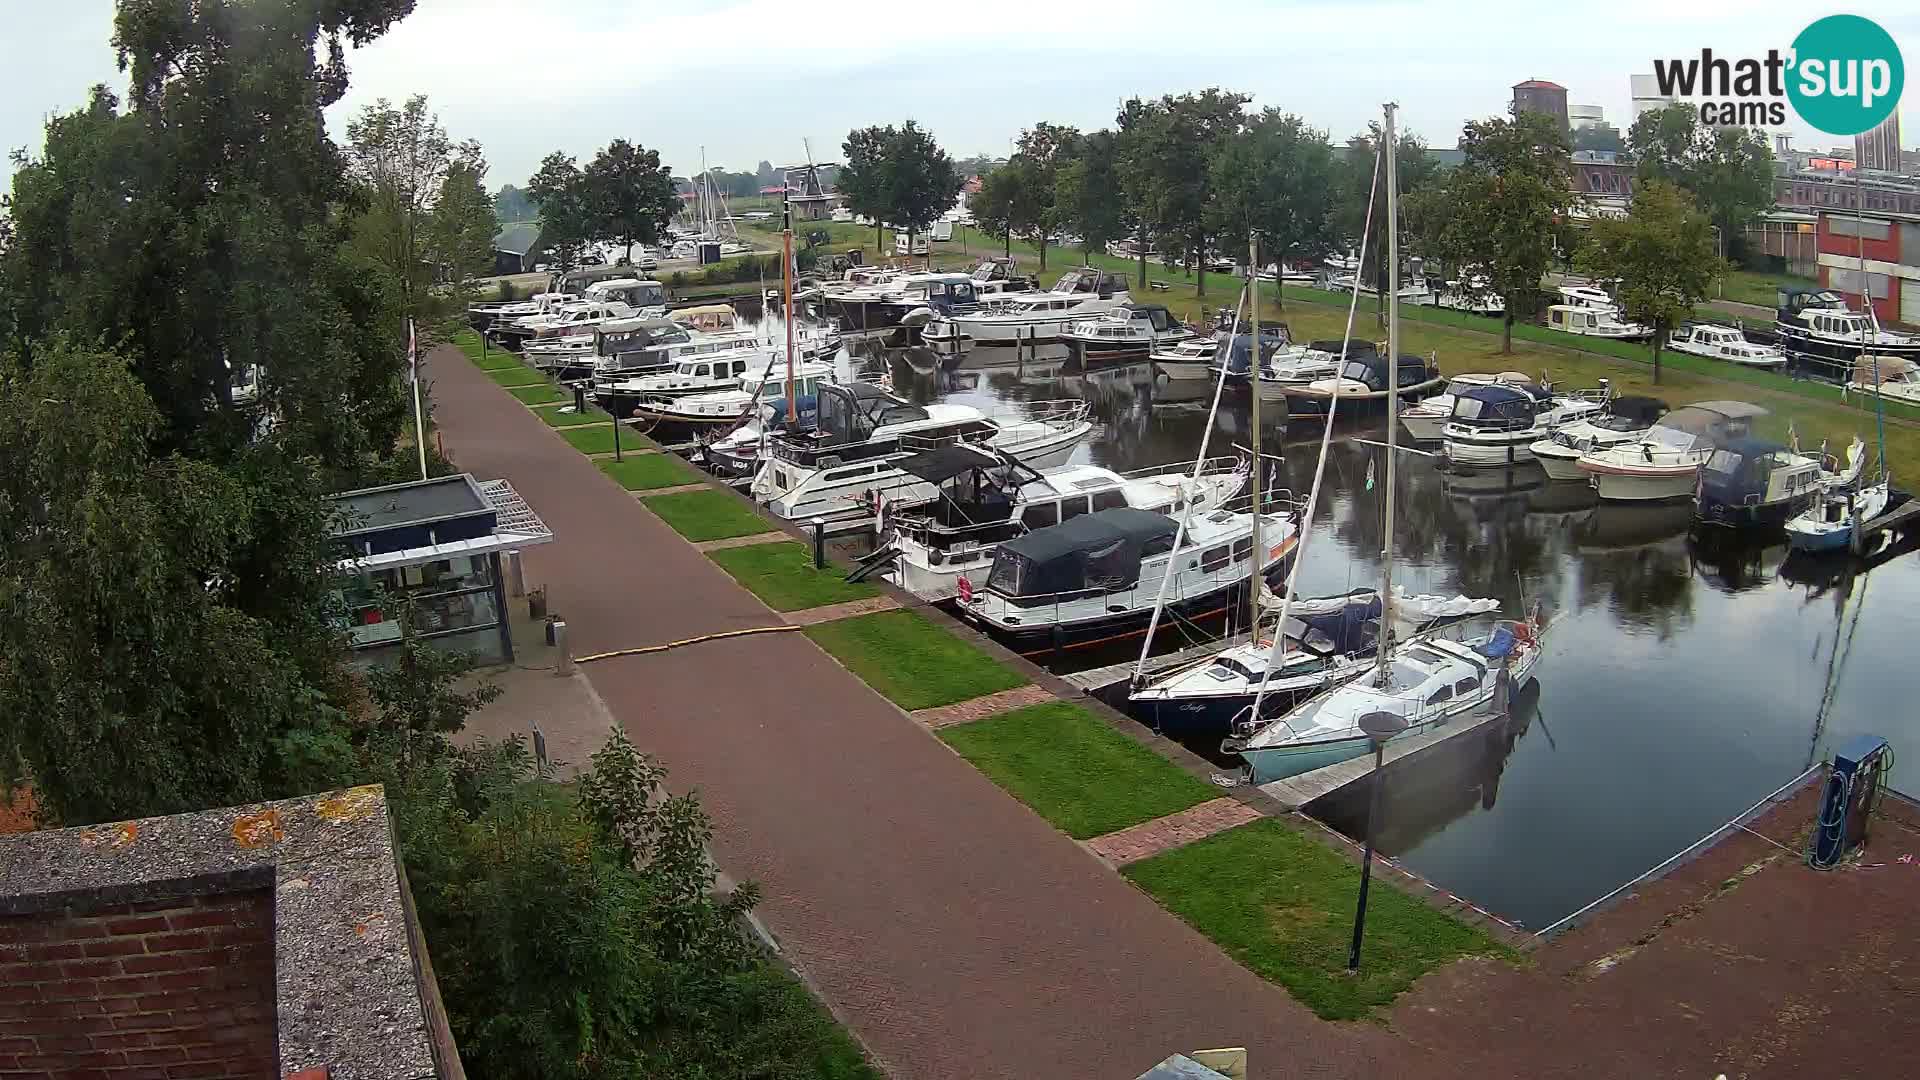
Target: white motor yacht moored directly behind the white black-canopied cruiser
840, 468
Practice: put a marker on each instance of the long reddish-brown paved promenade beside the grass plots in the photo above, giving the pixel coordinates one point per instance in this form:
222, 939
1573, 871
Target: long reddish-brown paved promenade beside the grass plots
959, 935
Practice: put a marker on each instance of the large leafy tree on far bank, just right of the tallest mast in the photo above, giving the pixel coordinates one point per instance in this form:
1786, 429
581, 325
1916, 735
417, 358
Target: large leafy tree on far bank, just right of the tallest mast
1504, 210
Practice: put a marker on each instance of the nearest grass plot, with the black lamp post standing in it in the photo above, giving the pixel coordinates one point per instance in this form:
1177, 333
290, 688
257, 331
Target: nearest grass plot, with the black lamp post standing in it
1284, 906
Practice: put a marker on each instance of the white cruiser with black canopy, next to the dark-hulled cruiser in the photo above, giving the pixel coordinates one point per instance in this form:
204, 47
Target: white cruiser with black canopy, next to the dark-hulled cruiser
988, 497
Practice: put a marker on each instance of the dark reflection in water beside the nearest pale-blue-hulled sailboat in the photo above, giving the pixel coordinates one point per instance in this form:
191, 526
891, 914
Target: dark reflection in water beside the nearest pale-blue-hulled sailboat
1437, 787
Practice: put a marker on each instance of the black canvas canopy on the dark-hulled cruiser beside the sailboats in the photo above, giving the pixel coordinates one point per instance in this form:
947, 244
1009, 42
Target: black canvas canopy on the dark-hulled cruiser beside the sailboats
1095, 552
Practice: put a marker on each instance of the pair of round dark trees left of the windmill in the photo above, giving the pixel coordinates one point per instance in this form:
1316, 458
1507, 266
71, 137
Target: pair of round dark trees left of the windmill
623, 197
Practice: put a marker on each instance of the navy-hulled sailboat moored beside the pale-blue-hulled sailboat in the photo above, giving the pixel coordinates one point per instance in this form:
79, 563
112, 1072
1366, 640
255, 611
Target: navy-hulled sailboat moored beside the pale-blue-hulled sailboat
1328, 641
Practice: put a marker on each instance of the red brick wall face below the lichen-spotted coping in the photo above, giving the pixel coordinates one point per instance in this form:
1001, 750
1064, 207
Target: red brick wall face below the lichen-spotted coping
162, 991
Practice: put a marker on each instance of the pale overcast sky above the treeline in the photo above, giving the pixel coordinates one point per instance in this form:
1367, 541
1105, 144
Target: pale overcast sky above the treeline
752, 80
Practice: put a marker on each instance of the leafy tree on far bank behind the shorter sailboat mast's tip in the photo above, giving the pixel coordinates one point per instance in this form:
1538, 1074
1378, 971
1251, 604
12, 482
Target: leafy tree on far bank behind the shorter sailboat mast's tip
1276, 180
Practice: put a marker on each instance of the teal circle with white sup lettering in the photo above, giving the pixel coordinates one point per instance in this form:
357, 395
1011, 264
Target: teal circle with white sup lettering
1848, 76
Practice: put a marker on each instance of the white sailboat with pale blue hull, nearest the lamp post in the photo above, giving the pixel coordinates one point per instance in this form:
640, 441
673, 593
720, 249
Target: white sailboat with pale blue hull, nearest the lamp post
1426, 683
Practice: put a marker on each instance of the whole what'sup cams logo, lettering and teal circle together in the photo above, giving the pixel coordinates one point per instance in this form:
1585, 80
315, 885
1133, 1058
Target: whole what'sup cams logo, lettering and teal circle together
1844, 76
